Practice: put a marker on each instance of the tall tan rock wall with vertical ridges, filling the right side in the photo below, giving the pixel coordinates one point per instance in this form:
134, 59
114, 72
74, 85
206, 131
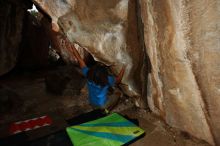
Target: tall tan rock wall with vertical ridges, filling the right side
182, 40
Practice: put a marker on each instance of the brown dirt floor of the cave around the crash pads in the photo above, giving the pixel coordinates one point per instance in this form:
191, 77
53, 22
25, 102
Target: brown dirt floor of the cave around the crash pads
62, 91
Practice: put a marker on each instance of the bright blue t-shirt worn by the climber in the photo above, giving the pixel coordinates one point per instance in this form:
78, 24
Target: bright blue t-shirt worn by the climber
98, 94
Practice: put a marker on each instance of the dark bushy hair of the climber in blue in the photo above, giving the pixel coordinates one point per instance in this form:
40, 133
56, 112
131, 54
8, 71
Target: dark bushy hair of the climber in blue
98, 74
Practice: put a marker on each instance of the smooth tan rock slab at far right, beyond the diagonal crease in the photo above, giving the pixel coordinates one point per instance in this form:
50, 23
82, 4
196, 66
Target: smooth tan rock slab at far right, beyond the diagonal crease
205, 55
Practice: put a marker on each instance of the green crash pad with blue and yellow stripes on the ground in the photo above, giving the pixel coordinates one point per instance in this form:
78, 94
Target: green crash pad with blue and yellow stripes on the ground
112, 130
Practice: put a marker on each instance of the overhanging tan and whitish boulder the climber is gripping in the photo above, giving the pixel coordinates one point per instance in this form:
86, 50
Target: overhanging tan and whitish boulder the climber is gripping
107, 29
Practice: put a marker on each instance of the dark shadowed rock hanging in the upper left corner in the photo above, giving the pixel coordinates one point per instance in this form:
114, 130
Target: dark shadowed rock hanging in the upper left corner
11, 24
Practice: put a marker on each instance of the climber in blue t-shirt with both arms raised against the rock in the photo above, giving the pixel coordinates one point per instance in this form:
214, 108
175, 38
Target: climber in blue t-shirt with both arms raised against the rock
98, 81
